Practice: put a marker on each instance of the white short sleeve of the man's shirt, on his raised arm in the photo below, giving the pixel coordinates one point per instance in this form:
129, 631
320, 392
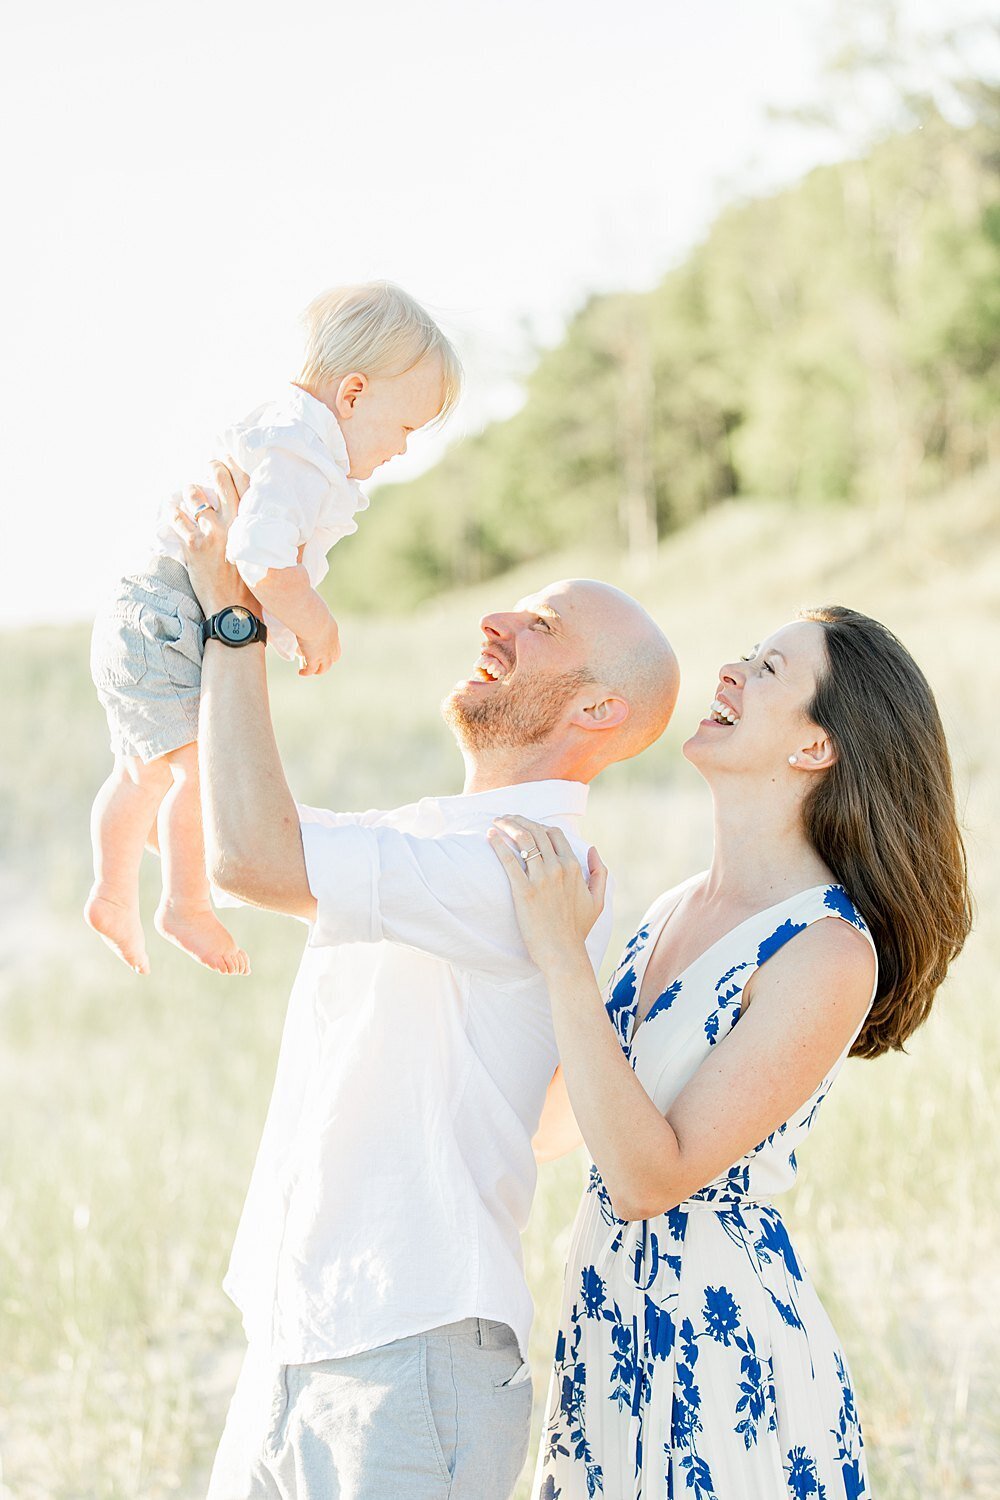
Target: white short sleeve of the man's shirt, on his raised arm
446, 896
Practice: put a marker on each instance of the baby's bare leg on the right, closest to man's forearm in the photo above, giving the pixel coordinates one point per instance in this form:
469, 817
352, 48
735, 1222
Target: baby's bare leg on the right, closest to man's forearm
185, 914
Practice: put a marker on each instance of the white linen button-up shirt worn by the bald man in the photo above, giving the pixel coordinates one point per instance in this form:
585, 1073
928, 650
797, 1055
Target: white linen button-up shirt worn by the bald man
395, 1174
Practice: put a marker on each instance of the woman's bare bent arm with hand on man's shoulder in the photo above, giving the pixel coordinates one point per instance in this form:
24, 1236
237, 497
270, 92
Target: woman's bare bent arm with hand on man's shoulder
807, 1004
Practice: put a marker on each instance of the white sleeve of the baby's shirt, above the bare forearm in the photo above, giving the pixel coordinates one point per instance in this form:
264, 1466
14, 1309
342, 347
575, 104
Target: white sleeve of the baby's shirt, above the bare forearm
280, 512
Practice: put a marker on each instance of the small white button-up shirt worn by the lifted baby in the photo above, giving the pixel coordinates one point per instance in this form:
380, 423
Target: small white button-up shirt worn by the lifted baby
301, 500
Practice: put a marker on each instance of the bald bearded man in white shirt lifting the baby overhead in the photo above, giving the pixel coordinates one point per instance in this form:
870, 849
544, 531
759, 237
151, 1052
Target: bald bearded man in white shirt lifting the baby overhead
379, 1259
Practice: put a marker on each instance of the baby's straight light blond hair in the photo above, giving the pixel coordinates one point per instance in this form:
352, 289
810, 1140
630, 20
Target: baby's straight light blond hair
376, 329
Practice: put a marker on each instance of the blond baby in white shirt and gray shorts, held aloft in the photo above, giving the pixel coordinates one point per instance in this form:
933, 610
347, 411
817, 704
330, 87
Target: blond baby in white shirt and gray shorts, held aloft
376, 370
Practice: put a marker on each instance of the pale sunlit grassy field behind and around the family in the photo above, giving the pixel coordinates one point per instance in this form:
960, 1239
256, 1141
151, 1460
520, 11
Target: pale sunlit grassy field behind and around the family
133, 1109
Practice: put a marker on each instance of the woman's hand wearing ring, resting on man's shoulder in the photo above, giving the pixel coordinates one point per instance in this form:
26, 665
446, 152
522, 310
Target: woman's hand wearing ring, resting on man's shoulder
555, 905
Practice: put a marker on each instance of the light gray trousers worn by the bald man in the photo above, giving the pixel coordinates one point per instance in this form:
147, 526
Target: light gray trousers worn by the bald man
442, 1415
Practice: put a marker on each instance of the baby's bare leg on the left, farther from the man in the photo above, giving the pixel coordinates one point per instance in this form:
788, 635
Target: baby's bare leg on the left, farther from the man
121, 821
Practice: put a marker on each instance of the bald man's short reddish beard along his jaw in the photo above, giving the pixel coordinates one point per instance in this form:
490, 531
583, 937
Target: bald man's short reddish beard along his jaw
512, 715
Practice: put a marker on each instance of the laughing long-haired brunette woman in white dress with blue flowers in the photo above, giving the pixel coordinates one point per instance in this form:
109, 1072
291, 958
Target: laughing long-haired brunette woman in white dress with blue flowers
693, 1355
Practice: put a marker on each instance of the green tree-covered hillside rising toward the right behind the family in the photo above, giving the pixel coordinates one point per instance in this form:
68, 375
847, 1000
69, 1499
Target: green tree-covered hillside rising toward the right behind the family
837, 341
